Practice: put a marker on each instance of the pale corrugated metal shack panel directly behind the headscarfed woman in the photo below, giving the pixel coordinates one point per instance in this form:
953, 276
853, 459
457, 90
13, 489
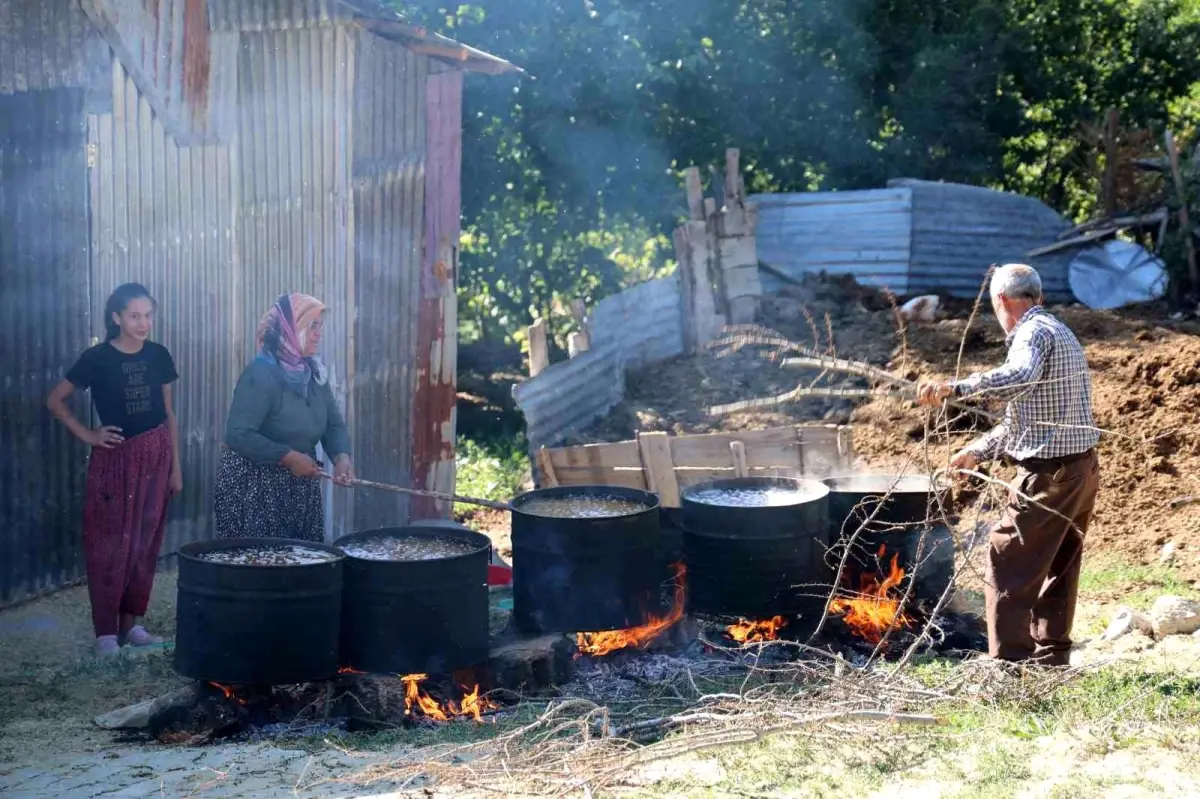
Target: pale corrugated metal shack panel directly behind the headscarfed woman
295, 206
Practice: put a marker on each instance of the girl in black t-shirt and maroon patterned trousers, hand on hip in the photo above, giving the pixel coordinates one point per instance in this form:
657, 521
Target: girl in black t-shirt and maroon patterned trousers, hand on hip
134, 471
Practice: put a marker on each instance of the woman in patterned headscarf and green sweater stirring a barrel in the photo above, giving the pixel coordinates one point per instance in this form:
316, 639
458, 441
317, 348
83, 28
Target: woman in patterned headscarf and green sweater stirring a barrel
283, 408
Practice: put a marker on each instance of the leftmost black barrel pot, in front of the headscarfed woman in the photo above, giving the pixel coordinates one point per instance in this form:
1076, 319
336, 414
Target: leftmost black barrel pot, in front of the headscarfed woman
257, 624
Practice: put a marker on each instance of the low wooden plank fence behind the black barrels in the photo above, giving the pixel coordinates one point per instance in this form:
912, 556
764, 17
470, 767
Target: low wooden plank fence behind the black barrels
665, 464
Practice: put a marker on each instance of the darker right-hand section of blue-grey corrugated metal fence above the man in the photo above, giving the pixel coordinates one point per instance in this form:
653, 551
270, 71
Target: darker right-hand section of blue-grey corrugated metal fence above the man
958, 232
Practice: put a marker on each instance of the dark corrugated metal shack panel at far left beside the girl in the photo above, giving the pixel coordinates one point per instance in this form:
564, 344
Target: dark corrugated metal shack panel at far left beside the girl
44, 327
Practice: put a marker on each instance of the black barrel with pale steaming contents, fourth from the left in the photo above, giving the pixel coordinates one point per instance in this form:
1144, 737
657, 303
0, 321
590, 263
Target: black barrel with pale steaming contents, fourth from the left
758, 562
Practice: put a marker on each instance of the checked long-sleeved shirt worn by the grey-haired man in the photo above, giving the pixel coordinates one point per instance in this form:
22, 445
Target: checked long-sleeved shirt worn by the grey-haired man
1048, 389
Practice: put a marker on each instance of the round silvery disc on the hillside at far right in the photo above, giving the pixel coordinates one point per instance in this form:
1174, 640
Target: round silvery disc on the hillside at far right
1115, 275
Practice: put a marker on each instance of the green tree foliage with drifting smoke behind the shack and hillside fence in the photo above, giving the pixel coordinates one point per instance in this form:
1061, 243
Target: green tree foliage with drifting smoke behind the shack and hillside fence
572, 172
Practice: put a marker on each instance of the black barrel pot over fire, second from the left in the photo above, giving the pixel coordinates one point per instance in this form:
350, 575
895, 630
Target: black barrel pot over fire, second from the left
407, 617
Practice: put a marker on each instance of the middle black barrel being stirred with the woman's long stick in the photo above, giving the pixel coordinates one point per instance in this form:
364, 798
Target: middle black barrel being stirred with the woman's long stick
586, 575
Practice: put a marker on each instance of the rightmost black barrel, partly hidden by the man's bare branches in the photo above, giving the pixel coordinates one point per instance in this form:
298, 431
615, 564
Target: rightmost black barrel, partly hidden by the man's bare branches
895, 516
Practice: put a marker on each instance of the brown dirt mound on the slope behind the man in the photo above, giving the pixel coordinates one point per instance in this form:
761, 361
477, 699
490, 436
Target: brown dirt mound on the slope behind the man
1147, 387
